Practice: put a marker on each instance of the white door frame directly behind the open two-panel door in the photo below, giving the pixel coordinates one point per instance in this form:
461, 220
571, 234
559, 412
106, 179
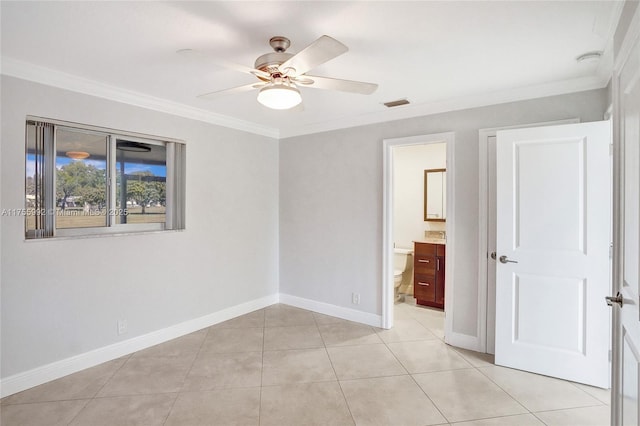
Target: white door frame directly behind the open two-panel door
486, 315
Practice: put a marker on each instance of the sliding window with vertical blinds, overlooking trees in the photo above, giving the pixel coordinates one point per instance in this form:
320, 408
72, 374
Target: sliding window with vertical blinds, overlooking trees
84, 180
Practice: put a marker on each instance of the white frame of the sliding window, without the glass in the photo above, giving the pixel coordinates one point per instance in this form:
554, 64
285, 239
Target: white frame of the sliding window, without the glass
175, 160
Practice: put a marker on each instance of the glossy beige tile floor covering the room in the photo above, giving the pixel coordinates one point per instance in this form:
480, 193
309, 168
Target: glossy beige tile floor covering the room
287, 366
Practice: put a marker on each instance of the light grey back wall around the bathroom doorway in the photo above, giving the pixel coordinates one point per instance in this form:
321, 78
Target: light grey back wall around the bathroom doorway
331, 201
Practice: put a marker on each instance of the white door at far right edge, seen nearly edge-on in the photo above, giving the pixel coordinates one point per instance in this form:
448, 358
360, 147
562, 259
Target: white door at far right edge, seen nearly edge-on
626, 360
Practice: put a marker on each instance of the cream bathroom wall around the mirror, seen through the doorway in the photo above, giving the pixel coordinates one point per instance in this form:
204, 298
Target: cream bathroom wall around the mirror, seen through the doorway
409, 164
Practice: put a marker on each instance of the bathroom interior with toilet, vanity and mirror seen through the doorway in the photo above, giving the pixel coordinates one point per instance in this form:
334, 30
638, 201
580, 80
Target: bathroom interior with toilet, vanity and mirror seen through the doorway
419, 224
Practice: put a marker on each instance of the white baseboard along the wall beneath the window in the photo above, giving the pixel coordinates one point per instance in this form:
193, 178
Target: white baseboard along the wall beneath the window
58, 369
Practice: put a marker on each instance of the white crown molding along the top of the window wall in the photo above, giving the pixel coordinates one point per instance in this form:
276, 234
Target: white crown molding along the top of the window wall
38, 74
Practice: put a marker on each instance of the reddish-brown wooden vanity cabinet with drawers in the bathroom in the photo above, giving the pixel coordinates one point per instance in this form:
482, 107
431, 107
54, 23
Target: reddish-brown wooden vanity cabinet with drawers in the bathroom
428, 274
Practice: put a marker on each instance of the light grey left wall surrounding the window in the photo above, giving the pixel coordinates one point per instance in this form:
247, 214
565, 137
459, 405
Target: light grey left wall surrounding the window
61, 298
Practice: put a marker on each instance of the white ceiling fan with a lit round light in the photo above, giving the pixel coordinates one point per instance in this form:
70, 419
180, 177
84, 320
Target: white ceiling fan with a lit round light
280, 73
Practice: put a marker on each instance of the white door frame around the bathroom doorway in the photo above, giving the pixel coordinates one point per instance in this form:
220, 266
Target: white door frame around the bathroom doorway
387, 222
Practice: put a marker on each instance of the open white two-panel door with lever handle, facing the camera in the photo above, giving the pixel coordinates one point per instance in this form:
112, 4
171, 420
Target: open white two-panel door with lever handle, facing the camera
553, 219
